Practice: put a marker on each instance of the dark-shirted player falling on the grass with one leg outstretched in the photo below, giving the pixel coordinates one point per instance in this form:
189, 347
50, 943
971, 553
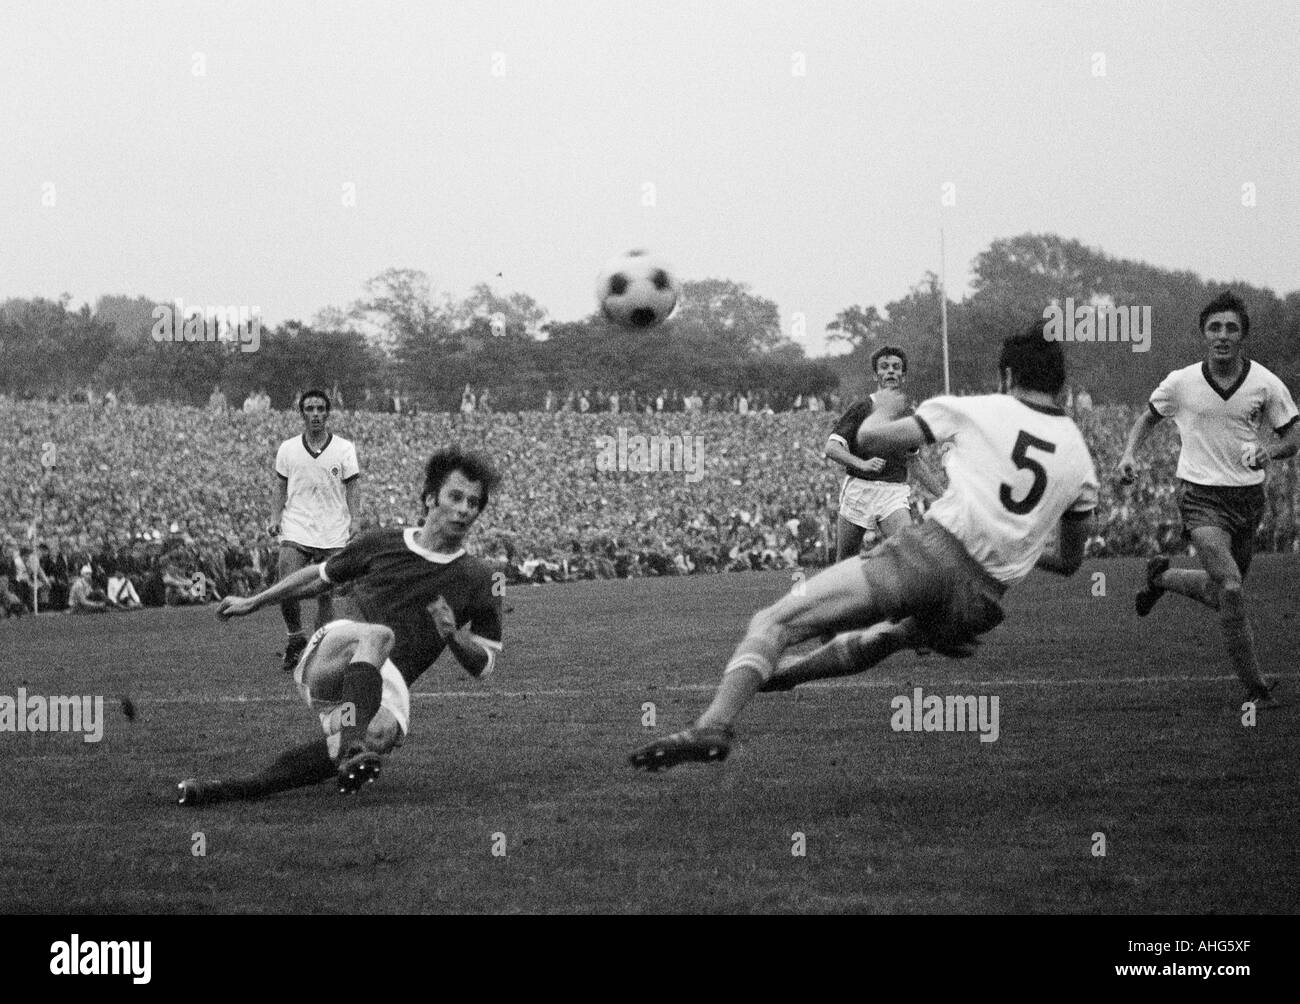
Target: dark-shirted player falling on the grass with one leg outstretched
415, 592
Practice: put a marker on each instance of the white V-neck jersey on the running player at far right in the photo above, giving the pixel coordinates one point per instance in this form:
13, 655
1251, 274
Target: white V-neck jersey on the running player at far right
1215, 423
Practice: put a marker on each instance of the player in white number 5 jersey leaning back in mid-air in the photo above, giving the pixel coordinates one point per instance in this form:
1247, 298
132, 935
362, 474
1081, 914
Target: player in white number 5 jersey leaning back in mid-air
1019, 468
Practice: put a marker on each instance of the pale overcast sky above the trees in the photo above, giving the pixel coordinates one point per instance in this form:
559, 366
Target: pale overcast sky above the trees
203, 150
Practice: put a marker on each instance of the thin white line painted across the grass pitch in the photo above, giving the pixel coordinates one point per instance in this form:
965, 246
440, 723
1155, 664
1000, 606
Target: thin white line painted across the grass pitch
709, 687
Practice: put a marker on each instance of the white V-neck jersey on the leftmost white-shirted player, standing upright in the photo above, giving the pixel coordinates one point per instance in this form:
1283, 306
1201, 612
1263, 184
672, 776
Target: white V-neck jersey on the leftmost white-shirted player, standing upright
317, 504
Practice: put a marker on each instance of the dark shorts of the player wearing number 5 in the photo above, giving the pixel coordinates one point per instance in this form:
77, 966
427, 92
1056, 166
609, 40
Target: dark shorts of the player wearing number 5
925, 572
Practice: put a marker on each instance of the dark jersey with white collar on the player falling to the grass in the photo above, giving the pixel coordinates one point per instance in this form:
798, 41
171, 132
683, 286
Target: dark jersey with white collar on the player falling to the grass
395, 579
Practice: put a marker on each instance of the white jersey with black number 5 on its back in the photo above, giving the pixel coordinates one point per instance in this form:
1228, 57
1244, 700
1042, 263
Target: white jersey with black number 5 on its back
1015, 470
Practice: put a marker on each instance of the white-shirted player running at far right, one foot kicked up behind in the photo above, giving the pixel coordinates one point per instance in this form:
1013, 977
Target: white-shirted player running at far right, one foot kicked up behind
1219, 406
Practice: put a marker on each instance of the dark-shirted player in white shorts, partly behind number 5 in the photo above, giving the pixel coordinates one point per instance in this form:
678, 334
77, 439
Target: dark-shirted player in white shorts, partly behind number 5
876, 494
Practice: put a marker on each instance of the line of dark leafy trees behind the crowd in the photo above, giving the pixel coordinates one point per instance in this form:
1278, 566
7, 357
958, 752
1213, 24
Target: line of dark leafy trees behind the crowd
402, 337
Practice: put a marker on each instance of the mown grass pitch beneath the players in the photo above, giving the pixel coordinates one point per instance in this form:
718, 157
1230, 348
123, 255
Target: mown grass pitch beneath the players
1107, 725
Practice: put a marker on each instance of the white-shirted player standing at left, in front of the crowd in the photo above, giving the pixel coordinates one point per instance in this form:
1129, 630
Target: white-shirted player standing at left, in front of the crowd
314, 508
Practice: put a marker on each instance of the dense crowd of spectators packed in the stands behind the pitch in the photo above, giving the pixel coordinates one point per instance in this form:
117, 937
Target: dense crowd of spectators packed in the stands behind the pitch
168, 504
